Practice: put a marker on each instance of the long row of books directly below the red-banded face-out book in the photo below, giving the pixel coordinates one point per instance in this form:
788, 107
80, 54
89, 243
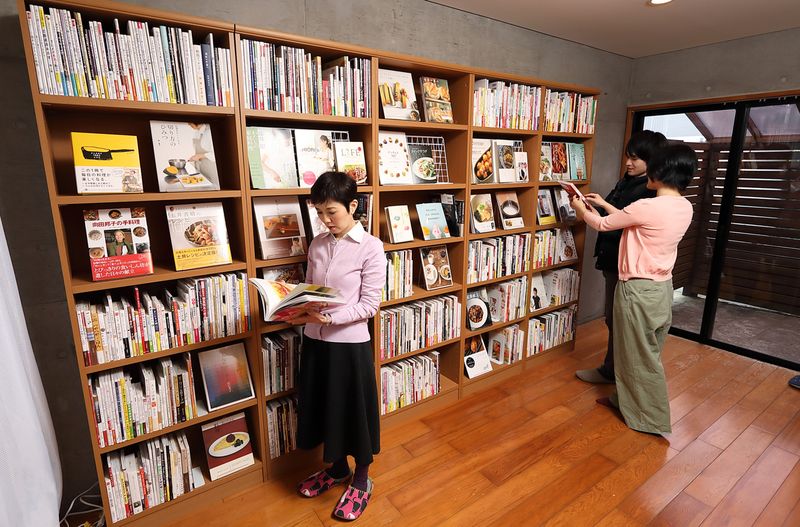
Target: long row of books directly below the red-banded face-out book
197, 310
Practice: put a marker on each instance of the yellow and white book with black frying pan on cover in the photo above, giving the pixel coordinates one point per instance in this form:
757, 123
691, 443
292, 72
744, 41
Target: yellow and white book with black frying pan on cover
106, 163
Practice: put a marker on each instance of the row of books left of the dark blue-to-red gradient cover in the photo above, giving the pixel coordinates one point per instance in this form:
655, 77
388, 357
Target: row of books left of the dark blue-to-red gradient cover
143, 399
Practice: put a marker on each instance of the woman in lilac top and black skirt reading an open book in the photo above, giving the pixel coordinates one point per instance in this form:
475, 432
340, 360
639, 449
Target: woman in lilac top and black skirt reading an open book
337, 394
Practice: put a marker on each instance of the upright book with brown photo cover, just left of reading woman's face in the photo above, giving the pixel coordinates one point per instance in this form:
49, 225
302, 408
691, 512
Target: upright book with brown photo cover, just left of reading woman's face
280, 227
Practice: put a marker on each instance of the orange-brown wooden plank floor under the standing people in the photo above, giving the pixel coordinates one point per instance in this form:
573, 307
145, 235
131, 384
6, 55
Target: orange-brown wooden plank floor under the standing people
538, 450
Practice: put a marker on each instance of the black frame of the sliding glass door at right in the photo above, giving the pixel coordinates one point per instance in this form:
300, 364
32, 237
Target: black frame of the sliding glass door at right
742, 108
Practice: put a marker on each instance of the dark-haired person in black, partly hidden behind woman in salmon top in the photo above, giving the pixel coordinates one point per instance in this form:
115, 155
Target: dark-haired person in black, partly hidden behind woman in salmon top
632, 187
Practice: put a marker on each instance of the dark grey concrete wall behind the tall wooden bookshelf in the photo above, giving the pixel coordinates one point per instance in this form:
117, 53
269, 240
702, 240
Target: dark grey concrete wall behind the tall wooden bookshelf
410, 26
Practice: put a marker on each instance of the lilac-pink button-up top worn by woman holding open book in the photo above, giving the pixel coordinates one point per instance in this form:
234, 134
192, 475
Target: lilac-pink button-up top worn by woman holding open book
355, 265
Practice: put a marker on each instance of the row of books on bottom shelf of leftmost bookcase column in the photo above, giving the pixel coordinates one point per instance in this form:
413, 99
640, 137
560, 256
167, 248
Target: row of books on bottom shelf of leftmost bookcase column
148, 474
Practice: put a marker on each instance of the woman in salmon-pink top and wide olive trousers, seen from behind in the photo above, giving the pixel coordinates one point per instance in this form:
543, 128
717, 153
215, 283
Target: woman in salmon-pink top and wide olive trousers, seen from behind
653, 228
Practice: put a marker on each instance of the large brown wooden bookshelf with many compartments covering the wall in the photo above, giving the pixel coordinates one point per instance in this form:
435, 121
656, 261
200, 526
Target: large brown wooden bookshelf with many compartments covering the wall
57, 116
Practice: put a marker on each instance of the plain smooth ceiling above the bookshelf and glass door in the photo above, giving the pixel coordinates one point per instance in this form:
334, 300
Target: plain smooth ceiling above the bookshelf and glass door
634, 29
